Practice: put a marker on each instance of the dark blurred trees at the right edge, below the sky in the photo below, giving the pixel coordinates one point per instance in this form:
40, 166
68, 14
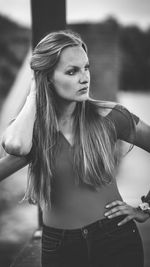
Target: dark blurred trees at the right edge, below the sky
135, 44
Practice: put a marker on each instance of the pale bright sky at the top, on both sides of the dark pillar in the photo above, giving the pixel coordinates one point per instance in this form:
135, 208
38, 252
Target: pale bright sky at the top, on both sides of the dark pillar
126, 11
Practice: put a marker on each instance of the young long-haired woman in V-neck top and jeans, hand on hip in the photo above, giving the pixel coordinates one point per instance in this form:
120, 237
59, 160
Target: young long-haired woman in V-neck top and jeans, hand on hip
72, 140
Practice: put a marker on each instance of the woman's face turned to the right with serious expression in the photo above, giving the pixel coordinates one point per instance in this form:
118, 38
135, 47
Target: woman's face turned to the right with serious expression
71, 77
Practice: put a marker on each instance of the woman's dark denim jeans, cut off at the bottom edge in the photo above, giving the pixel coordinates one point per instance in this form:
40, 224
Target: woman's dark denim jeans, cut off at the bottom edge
100, 244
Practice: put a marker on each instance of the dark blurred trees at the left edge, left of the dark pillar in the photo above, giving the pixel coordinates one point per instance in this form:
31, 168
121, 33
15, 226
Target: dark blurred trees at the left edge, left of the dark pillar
14, 44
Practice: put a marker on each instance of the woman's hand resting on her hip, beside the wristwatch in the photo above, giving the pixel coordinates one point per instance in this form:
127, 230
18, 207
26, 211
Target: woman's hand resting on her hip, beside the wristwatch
118, 208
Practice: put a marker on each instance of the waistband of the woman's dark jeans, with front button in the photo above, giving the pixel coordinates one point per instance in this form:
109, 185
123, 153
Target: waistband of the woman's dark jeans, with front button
104, 225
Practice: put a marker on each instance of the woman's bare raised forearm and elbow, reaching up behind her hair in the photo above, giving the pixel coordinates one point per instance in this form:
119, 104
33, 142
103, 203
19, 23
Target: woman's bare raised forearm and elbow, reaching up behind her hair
17, 138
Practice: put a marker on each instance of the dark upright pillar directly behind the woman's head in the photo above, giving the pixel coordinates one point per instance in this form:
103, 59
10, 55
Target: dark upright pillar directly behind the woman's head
47, 16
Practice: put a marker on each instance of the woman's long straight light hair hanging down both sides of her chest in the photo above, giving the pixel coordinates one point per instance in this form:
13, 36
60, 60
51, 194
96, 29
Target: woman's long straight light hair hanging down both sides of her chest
94, 134
